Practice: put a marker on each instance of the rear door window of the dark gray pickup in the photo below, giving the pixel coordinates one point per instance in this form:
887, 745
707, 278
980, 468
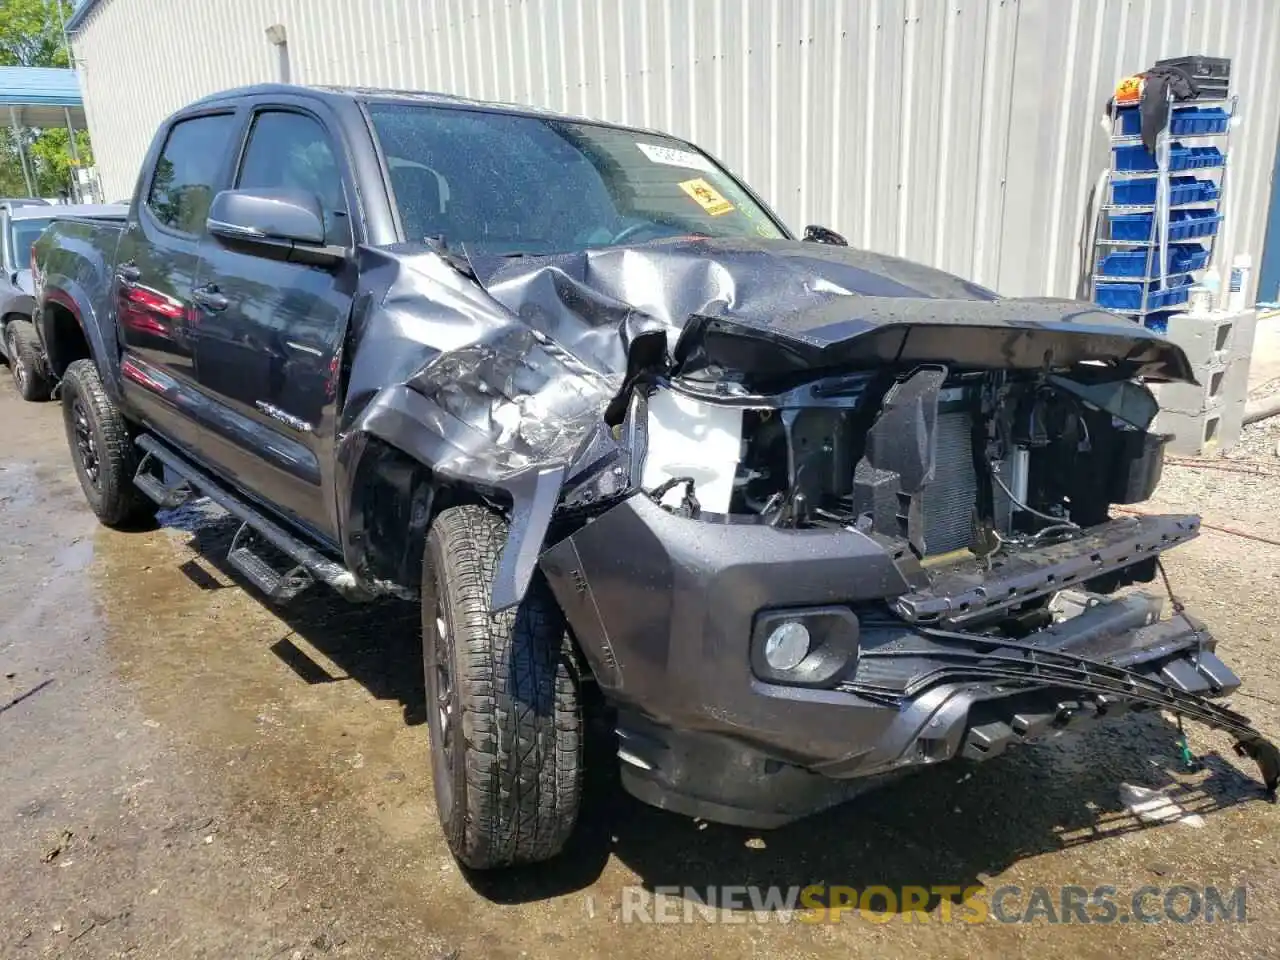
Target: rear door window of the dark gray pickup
182, 188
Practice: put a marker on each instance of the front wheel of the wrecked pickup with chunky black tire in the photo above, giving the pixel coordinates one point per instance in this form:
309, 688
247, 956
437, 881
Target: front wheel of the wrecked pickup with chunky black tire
504, 702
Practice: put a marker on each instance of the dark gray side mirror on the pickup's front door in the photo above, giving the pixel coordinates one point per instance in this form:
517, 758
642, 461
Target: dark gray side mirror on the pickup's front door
280, 225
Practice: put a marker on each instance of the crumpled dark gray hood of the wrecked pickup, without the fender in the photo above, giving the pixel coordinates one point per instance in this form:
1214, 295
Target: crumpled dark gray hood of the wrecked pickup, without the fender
753, 310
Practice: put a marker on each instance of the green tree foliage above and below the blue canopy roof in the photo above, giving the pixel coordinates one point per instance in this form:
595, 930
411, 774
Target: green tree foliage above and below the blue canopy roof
31, 35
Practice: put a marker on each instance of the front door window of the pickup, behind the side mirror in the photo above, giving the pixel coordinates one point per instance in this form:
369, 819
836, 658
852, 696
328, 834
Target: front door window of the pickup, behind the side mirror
292, 152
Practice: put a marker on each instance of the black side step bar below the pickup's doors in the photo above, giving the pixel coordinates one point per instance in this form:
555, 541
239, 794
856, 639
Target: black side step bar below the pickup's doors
310, 565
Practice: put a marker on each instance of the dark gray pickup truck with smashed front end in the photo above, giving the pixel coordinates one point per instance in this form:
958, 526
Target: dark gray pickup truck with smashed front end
797, 518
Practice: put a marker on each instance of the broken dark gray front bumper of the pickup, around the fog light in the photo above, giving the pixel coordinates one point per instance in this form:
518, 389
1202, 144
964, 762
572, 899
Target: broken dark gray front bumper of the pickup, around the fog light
664, 607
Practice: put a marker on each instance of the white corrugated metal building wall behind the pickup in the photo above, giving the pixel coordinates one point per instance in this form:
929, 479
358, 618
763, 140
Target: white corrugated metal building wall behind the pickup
963, 134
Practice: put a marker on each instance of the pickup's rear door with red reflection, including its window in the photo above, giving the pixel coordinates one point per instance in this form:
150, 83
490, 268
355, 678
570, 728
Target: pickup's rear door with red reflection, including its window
157, 264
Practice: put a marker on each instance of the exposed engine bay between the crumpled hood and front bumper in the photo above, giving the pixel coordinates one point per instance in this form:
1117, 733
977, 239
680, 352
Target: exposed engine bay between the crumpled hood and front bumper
950, 464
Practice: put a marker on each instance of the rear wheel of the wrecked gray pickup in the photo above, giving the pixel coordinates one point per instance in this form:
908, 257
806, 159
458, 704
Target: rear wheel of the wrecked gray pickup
102, 449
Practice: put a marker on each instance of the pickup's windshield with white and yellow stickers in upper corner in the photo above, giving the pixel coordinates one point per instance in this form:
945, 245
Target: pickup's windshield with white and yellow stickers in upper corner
525, 185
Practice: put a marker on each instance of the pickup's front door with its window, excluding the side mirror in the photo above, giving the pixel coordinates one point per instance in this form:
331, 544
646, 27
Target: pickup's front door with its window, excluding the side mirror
271, 332
